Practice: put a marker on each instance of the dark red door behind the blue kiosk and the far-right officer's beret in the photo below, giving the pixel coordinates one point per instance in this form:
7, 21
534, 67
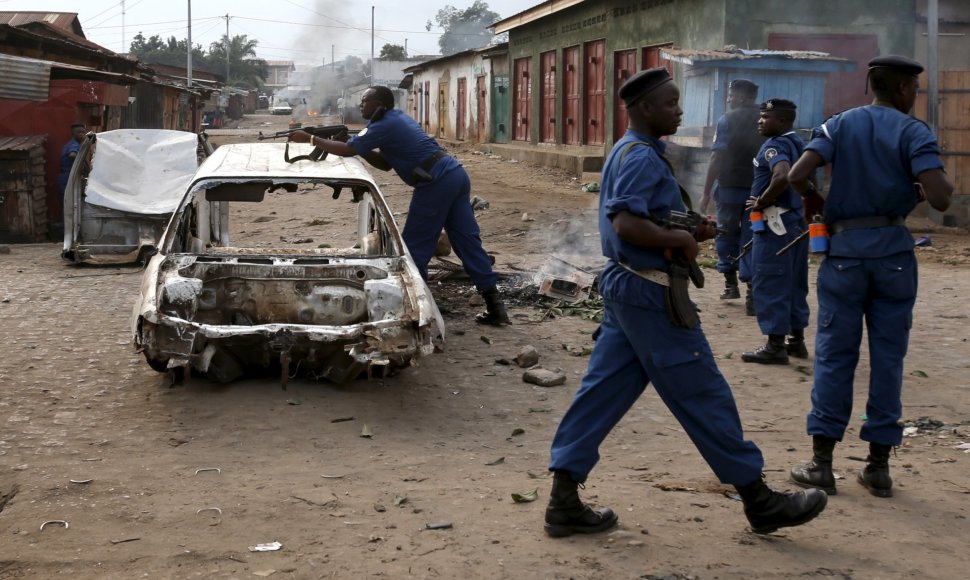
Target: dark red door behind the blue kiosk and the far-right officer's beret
843, 90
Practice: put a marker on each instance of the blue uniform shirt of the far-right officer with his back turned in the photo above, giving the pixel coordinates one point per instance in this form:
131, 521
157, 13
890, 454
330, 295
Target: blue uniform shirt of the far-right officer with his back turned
876, 153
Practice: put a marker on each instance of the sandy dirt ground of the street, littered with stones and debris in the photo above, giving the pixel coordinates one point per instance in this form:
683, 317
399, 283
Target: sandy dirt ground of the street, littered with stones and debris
453, 438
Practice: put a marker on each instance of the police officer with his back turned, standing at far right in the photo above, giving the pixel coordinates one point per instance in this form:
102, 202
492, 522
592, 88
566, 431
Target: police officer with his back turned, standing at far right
884, 162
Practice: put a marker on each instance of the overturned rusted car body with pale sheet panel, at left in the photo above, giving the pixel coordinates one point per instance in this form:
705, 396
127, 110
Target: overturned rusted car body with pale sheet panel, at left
122, 190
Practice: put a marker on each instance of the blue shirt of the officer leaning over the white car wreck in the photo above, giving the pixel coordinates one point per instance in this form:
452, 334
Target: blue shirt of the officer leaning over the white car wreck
402, 143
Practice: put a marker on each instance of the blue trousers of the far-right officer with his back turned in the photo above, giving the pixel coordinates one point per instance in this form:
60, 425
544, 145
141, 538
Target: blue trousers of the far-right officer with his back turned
882, 292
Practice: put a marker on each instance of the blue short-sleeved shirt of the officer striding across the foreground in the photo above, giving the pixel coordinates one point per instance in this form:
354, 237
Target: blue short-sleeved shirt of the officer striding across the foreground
642, 184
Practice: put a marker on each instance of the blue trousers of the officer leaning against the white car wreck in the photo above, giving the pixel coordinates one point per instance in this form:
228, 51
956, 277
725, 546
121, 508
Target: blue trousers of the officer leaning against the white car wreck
445, 203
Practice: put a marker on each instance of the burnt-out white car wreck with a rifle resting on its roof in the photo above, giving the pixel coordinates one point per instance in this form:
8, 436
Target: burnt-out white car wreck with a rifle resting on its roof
227, 307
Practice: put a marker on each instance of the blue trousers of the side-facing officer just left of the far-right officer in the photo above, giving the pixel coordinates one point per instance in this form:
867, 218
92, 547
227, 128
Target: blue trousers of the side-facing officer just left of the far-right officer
781, 282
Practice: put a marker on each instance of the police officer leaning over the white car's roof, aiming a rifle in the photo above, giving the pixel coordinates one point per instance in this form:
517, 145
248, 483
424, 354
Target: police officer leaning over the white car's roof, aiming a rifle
393, 140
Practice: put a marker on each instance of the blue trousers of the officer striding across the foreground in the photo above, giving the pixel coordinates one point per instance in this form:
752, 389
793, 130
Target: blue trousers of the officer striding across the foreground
636, 345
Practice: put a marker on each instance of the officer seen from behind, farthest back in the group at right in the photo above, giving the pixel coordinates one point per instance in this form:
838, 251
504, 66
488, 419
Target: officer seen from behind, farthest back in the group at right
736, 141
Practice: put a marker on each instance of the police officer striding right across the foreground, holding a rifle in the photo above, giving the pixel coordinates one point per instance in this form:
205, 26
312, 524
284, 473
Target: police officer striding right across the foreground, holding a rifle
638, 343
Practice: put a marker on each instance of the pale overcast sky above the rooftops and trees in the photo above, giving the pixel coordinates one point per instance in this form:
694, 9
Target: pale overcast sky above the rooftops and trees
304, 31
